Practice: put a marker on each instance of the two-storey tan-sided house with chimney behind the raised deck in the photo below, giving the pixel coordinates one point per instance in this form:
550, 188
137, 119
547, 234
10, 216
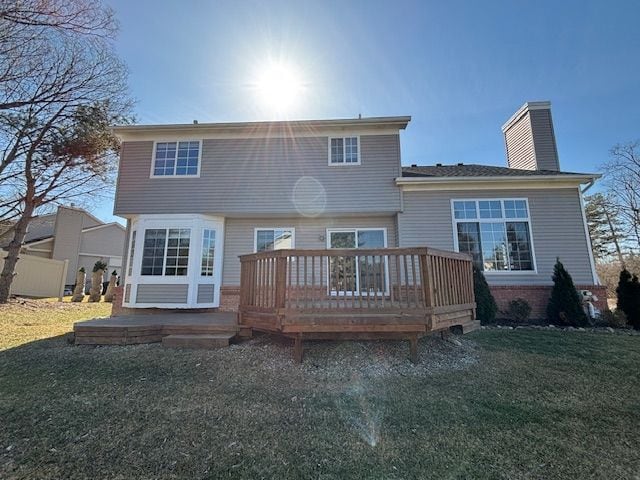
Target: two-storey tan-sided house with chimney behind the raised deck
197, 196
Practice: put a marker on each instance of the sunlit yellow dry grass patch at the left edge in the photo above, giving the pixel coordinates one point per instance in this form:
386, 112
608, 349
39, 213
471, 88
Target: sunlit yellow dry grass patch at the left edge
25, 320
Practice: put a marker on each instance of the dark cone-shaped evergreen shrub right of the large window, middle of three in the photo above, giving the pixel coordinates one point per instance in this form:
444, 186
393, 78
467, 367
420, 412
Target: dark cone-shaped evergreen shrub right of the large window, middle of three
565, 305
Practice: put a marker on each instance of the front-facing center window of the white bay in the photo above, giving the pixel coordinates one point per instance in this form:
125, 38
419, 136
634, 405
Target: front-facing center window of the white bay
165, 251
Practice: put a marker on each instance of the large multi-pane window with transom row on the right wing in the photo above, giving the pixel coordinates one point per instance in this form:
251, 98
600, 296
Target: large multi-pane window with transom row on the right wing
496, 233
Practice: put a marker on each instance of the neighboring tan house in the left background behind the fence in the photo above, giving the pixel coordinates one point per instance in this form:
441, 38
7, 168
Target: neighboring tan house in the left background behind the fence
74, 234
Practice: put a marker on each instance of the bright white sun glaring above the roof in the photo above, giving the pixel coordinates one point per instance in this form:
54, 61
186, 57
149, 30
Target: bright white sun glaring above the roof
279, 87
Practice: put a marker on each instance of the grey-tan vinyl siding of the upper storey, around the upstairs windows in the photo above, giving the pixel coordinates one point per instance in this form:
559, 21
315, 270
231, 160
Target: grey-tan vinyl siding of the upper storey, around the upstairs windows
243, 177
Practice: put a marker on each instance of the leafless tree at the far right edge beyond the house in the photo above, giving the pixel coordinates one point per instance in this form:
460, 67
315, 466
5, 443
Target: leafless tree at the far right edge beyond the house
622, 179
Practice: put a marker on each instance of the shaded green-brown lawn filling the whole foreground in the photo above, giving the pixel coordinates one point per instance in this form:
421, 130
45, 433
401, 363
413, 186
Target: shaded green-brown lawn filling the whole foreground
504, 404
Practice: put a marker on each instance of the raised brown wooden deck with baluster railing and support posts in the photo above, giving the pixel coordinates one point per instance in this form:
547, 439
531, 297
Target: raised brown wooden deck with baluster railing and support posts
364, 293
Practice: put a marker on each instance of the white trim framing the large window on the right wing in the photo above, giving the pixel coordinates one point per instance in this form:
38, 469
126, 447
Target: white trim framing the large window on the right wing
455, 221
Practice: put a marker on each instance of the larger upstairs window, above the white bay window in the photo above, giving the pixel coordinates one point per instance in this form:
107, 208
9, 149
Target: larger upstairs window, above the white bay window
173, 159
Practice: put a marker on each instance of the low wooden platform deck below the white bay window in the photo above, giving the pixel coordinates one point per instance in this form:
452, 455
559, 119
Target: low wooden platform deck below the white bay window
149, 328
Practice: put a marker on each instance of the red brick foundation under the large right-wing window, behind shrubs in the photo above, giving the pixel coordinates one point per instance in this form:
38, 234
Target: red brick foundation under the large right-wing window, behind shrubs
538, 297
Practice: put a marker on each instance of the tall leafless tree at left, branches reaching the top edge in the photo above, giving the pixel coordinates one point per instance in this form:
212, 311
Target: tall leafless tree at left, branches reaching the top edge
55, 139
